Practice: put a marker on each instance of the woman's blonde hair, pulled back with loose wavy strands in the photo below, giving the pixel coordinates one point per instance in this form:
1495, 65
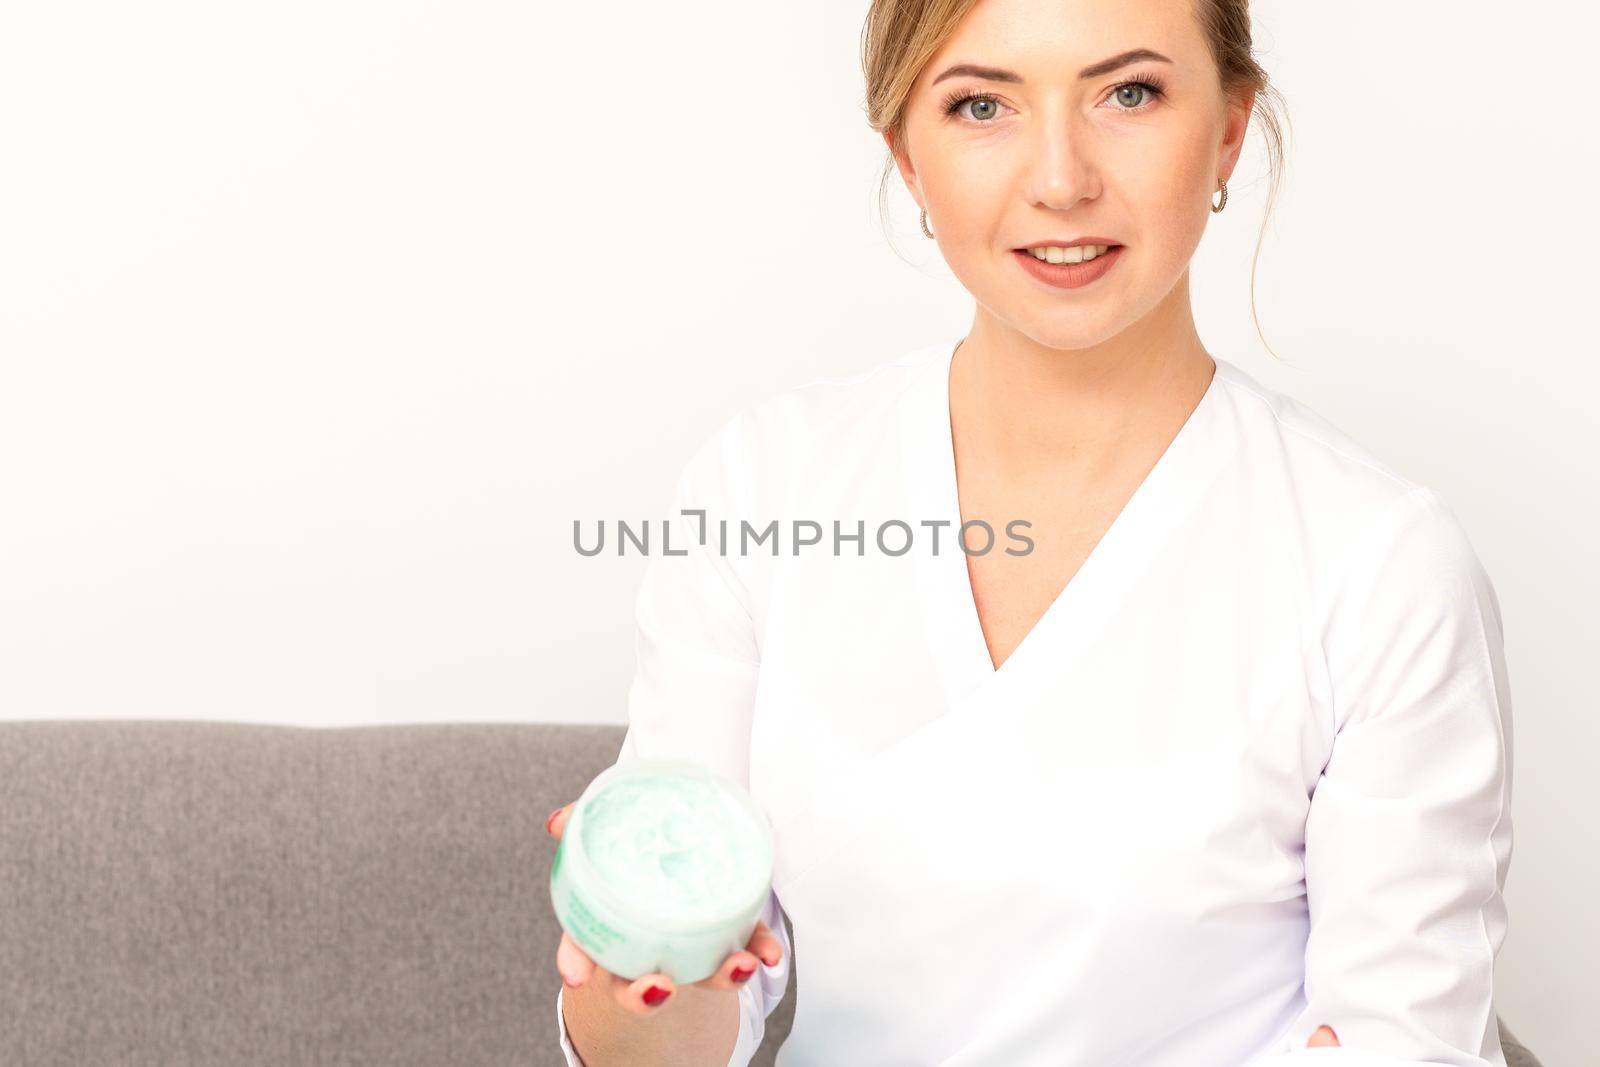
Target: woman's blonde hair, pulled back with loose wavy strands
902, 36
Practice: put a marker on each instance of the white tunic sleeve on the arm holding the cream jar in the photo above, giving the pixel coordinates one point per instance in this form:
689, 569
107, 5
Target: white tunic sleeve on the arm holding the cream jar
698, 660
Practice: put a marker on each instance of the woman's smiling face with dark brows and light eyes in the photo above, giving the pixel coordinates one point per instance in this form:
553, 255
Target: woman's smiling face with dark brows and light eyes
1071, 145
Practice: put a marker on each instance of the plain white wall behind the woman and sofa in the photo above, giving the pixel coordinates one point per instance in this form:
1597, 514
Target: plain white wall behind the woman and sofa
322, 322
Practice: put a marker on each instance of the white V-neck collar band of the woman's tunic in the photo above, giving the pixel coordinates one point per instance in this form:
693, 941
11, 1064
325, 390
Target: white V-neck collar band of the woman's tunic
950, 610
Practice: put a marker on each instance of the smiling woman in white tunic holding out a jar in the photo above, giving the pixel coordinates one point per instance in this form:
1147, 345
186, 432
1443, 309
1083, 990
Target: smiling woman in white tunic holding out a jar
1194, 751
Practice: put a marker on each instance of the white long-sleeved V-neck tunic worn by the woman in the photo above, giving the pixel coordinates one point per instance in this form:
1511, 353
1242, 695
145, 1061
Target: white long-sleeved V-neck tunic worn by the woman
1249, 775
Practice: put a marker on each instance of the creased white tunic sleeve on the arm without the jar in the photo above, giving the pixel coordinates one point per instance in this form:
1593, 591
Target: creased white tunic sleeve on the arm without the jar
1409, 833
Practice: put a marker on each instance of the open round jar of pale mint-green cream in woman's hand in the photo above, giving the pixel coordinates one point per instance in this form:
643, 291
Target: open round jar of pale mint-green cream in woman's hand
663, 866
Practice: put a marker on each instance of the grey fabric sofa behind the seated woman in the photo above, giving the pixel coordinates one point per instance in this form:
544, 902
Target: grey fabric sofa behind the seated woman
185, 893
